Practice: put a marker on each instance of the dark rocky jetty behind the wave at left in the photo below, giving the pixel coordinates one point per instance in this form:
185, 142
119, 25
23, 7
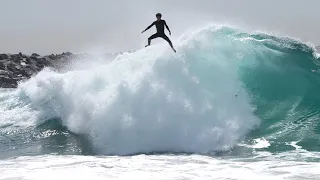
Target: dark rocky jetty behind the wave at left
17, 67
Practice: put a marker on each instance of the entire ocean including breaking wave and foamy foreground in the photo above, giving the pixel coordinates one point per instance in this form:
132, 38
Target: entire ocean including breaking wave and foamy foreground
228, 105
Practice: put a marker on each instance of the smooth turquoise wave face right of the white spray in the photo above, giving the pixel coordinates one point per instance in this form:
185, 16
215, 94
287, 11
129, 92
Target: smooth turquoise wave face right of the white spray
284, 85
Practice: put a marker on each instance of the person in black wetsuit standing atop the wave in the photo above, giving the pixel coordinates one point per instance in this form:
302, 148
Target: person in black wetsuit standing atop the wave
159, 23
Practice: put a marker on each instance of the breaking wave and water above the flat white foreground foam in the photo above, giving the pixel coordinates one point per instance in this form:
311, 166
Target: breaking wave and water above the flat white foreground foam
223, 90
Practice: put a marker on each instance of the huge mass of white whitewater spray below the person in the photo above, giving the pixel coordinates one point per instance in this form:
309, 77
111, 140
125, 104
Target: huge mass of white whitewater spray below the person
152, 100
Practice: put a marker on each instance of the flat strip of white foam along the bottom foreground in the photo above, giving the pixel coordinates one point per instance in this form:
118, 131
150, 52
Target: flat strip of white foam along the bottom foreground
155, 167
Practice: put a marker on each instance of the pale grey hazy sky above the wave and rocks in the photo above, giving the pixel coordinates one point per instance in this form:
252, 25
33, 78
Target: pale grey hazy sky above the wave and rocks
56, 26
